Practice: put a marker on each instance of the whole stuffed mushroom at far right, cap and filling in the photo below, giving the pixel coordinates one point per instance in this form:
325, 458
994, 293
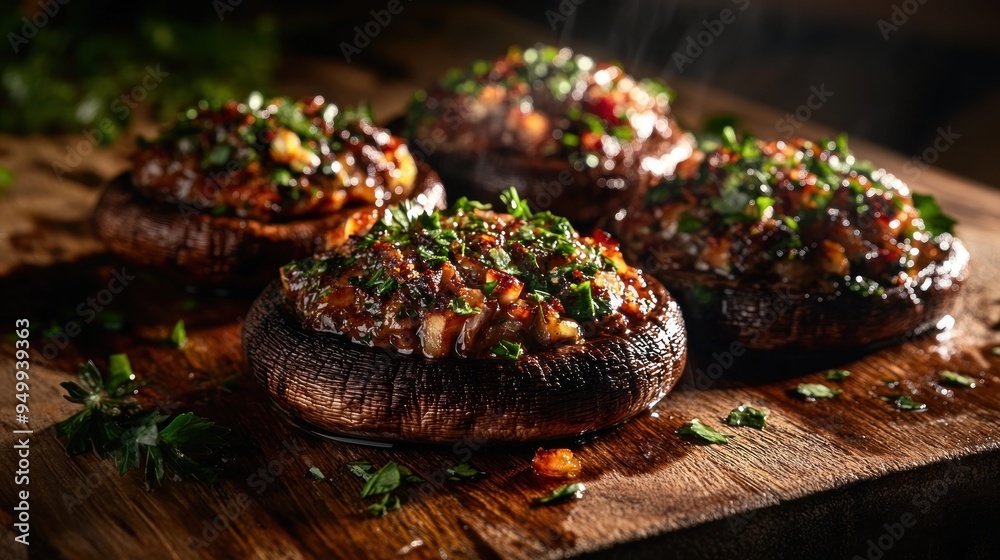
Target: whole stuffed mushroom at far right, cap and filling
796, 245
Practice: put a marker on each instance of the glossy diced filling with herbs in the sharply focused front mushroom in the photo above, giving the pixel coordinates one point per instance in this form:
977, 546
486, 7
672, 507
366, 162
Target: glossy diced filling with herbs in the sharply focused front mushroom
470, 282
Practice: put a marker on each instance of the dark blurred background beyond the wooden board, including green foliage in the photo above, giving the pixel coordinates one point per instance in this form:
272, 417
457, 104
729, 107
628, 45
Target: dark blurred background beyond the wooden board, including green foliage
938, 71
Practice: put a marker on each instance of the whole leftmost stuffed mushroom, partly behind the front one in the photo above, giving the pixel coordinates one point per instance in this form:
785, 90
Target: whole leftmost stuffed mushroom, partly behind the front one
227, 195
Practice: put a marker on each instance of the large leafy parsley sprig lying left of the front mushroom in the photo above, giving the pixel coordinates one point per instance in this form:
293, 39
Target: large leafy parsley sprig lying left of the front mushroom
111, 424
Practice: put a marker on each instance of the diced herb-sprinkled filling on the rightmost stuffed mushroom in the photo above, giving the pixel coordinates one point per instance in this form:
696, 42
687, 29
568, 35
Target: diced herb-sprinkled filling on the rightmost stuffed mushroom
799, 212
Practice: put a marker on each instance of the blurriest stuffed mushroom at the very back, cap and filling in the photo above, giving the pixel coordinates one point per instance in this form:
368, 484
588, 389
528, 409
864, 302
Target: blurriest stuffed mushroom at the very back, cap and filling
572, 135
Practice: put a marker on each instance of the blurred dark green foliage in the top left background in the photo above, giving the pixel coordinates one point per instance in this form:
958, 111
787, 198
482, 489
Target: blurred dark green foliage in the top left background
73, 73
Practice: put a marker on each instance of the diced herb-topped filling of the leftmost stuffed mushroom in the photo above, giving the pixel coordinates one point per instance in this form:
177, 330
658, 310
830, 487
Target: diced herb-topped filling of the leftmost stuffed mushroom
274, 160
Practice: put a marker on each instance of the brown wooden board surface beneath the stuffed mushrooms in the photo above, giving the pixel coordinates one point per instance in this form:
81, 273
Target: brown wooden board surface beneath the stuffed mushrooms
837, 478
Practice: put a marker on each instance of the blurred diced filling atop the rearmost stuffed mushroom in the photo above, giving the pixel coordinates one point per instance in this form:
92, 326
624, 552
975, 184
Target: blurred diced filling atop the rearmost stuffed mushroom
544, 102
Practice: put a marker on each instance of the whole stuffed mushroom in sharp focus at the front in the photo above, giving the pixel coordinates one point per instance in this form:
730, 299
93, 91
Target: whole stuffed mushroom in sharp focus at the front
506, 327
